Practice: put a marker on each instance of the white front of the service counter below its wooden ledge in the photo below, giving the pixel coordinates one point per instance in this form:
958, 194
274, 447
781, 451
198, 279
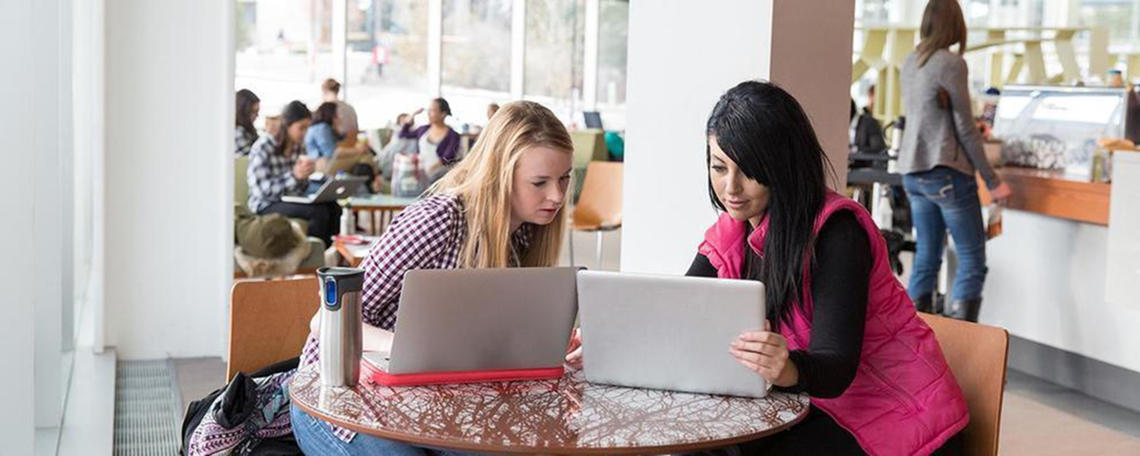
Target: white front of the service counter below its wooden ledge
1047, 284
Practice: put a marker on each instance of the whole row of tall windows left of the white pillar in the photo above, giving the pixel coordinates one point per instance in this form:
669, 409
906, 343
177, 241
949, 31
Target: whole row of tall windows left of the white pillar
286, 48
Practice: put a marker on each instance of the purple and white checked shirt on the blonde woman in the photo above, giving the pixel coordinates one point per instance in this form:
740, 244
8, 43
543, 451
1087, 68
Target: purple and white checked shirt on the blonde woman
427, 235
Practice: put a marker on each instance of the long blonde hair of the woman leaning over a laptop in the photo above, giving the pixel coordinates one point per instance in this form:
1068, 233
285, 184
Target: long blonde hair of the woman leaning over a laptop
484, 182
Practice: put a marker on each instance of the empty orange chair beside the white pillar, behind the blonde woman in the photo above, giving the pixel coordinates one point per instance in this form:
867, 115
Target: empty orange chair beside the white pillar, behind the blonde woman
599, 208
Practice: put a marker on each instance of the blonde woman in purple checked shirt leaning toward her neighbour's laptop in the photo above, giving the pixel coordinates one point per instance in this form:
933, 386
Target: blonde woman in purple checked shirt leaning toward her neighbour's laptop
501, 207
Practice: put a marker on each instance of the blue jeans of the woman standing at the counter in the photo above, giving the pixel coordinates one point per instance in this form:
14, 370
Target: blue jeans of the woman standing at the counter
946, 199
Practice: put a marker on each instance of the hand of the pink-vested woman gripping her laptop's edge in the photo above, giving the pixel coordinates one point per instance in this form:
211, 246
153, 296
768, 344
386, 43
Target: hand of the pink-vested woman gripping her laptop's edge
766, 353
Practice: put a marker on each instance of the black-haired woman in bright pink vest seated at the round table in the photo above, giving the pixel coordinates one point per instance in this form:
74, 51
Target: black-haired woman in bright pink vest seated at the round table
841, 328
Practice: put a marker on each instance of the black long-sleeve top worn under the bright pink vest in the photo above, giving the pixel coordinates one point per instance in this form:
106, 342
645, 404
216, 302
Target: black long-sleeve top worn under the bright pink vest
841, 276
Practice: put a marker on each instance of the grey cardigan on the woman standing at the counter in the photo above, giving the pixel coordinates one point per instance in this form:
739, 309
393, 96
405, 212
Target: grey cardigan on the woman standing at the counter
935, 136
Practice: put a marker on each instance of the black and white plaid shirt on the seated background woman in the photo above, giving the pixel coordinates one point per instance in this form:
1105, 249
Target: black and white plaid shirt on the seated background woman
271, 175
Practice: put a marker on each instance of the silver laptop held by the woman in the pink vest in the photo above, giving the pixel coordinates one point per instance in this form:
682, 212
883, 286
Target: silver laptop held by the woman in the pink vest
667, 332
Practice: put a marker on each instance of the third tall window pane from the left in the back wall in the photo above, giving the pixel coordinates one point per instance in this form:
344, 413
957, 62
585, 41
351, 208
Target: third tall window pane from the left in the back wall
476, 58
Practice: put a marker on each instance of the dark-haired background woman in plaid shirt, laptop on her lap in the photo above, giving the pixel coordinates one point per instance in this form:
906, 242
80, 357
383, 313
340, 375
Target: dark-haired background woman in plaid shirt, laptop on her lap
279, 167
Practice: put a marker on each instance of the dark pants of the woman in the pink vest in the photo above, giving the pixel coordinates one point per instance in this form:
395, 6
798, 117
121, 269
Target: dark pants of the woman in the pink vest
817, 435
